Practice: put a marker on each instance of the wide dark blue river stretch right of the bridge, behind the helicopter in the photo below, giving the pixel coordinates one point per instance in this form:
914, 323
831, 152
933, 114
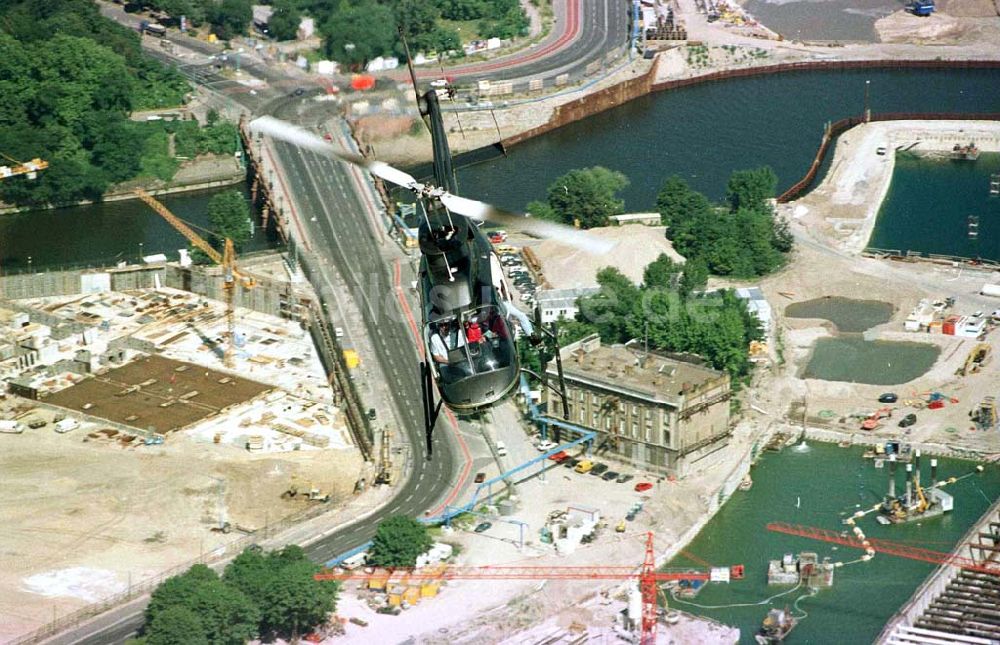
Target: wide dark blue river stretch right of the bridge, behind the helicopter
703, 133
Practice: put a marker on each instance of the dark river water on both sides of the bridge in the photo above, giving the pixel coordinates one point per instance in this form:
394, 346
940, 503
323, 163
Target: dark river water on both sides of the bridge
702, 133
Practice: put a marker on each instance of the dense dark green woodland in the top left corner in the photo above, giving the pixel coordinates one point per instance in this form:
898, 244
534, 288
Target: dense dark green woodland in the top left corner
68, 80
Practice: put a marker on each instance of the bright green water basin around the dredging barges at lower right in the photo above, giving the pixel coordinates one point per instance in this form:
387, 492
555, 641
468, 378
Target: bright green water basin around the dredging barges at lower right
818, 485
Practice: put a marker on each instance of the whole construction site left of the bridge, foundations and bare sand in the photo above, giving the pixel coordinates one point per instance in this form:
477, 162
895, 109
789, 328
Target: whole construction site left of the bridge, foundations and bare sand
140, 447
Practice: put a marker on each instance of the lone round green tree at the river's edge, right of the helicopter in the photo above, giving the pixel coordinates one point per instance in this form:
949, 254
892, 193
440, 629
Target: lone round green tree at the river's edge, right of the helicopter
587, 196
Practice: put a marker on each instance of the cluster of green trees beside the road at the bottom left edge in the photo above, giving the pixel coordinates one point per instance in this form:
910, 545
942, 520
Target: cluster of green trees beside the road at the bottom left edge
259, 595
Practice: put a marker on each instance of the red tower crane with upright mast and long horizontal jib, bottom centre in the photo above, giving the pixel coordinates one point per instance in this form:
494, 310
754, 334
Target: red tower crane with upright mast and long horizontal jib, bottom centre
647, 576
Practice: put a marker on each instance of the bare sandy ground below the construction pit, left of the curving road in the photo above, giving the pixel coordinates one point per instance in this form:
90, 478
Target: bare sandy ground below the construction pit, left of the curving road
84, 518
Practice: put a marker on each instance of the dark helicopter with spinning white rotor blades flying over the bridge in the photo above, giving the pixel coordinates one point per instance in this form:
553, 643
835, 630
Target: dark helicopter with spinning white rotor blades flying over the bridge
467, 310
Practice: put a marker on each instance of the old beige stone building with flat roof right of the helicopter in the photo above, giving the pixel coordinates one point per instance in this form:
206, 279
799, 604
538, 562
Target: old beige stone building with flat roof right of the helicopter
650, 410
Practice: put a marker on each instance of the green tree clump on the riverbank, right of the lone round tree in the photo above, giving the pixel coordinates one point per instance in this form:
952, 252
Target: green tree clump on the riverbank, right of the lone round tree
743, 238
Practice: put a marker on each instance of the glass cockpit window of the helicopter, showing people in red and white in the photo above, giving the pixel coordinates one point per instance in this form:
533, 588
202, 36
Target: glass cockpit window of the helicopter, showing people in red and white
478, 341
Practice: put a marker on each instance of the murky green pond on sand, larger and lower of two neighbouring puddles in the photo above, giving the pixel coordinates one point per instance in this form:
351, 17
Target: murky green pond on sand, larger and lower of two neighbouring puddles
853, 359
